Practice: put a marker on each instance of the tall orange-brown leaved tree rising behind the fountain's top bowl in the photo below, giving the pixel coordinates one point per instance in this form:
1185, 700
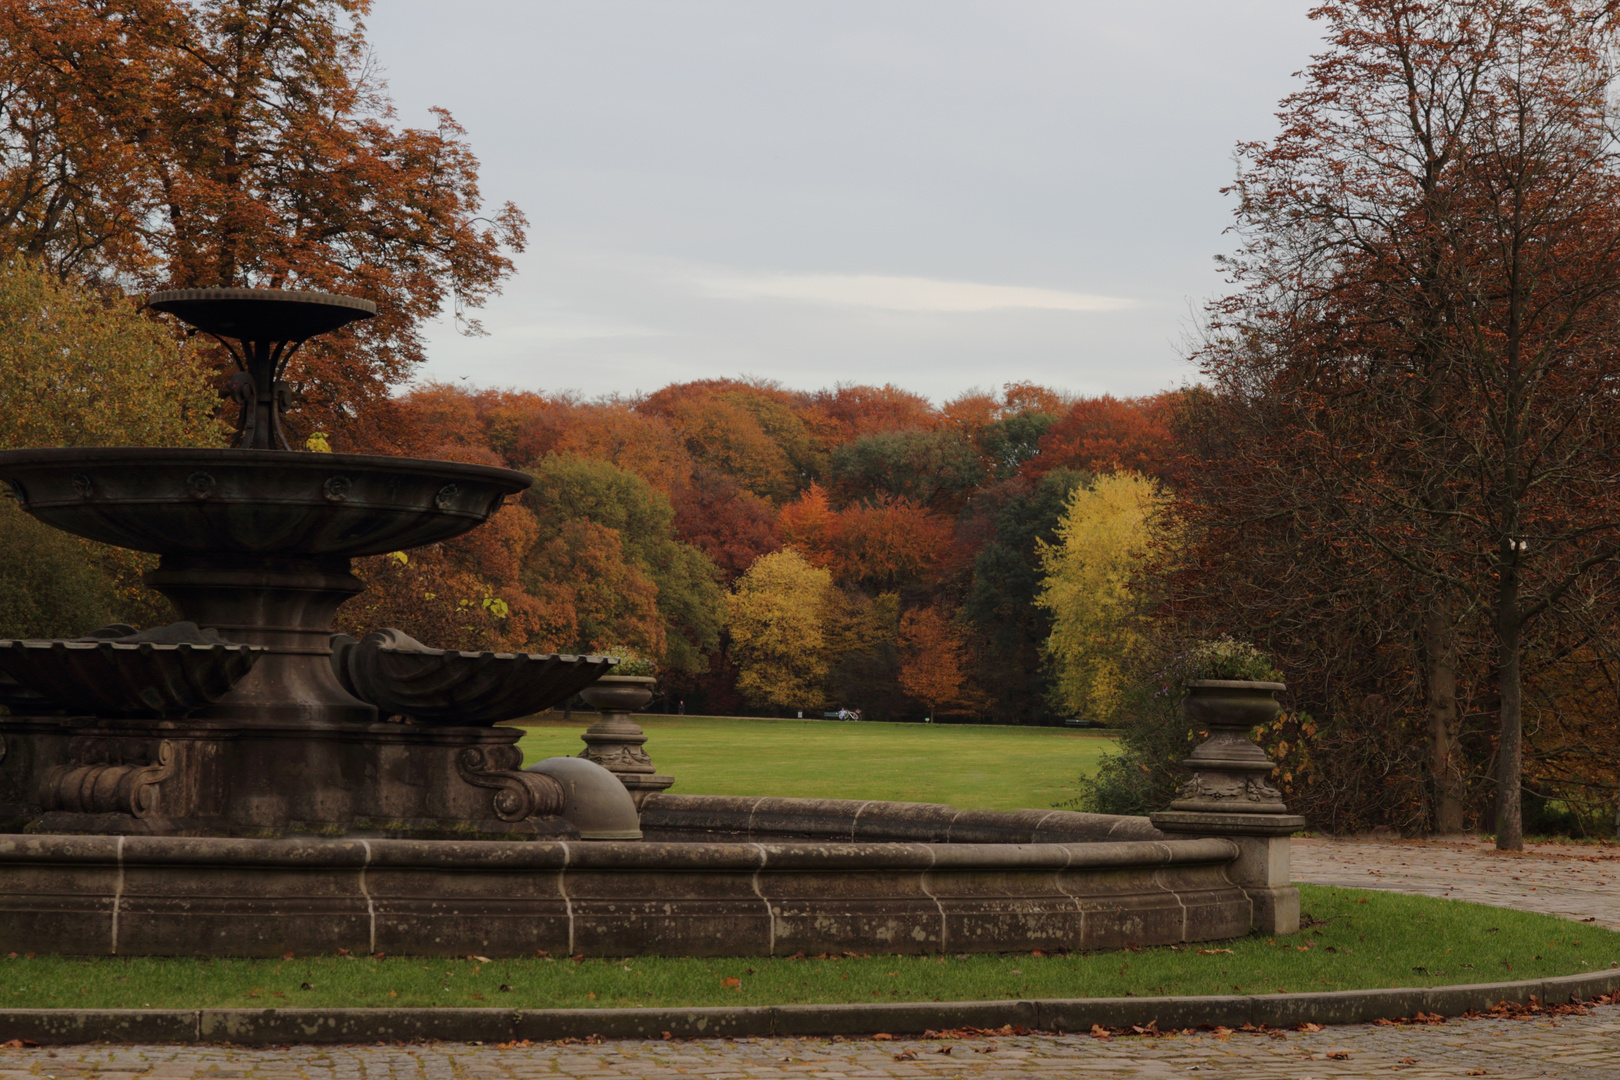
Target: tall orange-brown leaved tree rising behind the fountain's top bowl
234, 143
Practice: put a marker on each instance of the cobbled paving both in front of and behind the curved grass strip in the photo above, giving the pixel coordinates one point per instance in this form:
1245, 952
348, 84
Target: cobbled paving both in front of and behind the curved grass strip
1562, 880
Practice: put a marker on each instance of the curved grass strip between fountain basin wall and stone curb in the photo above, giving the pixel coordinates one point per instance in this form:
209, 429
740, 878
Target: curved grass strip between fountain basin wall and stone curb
1355, 940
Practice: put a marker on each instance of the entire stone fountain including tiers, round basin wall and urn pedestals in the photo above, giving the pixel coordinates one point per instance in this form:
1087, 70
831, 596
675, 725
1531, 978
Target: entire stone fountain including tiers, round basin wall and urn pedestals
244, 783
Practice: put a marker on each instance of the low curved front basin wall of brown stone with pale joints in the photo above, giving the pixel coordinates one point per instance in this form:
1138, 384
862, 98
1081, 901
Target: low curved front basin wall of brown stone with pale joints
216, 896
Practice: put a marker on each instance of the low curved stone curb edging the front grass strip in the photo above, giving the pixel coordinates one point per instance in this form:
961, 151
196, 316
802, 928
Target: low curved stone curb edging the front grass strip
265, 1027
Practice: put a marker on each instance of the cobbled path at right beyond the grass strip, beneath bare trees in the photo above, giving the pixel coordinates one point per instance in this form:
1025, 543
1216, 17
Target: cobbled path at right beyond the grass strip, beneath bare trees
1571, 880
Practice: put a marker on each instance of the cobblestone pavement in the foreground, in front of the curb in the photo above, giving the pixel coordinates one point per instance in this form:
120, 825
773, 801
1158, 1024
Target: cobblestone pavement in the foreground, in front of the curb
1569, 1048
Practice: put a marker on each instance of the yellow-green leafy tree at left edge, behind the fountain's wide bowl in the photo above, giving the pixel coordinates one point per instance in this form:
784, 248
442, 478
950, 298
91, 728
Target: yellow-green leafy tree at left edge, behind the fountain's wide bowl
82, 368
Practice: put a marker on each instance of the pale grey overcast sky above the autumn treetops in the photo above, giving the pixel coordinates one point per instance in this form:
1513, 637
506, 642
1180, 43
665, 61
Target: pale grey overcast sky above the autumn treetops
932, 193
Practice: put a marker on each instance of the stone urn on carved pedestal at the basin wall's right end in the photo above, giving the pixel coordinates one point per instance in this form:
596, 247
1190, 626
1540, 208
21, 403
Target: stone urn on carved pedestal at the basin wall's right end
1230, 796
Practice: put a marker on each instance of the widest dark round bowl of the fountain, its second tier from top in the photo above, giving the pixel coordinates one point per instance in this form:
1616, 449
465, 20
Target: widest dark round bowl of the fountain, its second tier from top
255, 503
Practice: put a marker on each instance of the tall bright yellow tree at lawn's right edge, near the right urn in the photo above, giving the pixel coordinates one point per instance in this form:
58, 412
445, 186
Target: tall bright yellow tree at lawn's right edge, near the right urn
1089, 572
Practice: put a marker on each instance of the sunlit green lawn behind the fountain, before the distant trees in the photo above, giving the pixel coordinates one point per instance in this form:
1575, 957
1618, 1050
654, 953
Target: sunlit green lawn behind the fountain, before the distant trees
986, 768
